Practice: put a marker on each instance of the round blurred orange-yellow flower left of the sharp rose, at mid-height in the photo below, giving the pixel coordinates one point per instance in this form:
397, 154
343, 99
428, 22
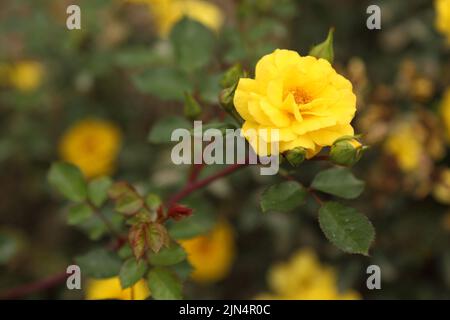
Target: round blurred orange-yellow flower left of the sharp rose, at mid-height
92, 145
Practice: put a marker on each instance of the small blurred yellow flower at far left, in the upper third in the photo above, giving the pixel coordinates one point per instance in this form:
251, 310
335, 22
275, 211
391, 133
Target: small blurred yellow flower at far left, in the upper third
26, 75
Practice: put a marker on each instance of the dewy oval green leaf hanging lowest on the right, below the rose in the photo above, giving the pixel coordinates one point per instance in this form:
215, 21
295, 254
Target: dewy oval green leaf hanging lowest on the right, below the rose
346, 228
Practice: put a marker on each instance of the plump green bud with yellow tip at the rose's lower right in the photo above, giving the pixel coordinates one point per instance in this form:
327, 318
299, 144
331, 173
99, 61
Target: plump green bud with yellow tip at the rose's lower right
346, 151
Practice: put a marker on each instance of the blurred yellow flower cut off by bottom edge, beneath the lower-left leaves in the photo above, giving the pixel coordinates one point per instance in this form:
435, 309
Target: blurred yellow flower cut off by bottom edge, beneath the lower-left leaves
110, 289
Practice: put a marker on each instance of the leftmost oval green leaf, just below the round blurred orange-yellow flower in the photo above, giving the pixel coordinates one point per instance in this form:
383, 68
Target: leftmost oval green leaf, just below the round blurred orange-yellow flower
68, 180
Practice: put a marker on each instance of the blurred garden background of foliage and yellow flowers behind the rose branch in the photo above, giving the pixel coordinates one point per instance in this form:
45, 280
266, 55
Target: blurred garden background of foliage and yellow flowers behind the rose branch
114, 79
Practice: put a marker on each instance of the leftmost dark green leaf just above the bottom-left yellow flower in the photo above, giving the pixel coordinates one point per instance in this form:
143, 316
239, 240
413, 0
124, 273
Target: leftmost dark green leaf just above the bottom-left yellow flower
99, 263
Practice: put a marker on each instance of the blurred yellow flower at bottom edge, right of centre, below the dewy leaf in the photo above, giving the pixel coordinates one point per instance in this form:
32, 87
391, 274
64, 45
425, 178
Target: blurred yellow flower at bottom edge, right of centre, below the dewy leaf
304, 278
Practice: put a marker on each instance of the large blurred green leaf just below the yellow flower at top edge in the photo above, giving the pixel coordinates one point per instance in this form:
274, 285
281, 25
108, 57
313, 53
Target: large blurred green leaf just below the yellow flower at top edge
193, 44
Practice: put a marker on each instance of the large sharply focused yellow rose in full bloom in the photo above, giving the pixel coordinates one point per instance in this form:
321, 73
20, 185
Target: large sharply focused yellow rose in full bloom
303, 97
